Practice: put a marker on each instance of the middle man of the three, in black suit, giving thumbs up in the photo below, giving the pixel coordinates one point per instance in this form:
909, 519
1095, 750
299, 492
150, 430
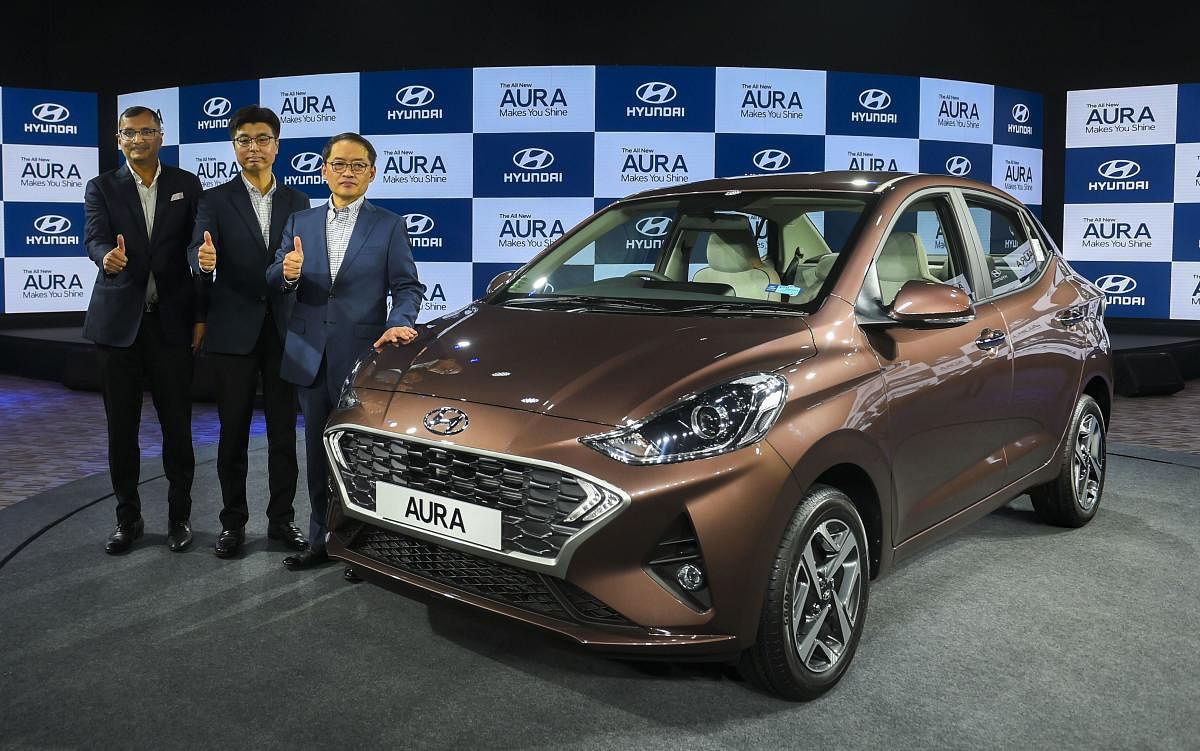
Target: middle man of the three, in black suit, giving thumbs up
238, 227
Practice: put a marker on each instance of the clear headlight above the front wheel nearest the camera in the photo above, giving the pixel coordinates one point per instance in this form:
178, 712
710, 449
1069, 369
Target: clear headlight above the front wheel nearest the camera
722, 419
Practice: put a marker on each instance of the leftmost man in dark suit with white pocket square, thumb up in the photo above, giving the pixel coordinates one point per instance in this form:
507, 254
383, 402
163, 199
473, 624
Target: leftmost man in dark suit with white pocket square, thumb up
146, 316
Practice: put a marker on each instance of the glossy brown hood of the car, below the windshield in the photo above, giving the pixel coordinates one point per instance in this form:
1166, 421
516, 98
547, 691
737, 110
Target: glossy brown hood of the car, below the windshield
599, 368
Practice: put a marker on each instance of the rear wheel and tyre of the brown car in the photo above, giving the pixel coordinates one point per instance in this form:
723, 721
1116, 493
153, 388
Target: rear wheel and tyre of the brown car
1072, 498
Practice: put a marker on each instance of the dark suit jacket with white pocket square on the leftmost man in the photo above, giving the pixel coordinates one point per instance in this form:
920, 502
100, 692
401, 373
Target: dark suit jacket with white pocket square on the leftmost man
112, 208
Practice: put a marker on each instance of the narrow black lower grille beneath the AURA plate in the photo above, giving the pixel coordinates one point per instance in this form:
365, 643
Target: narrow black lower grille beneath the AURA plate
488, 579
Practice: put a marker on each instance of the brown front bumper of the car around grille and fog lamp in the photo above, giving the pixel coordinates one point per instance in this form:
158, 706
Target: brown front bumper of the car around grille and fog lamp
591, 582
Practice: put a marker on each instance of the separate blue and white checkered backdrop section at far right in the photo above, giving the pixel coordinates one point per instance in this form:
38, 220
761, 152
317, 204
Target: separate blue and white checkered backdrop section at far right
1132, 213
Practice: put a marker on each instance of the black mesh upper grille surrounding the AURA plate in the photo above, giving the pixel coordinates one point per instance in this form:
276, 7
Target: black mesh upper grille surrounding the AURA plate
535, 501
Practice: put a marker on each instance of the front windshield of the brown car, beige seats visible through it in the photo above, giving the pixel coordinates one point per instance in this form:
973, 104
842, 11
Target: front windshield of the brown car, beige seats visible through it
740, 254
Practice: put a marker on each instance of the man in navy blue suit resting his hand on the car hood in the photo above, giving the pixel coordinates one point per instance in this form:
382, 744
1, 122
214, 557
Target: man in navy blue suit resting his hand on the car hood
358, 255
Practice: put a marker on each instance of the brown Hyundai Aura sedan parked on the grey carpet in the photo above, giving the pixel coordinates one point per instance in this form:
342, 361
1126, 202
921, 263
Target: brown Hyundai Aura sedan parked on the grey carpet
703, 422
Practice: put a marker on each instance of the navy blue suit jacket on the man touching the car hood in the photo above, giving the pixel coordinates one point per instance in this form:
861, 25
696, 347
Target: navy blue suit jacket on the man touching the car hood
340, 320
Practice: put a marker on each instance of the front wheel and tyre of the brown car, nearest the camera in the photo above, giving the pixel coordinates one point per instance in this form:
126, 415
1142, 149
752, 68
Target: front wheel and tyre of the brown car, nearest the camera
817, 598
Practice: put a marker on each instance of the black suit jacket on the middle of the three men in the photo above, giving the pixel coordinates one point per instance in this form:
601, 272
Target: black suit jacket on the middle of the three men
238, 295
